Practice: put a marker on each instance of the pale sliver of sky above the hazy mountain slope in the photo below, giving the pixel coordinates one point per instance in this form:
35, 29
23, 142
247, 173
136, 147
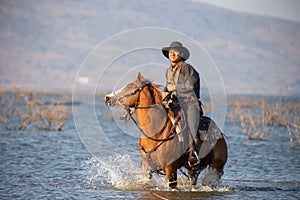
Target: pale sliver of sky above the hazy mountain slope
286, 9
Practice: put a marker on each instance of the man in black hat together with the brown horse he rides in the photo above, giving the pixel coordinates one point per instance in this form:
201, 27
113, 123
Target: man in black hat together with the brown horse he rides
166, 145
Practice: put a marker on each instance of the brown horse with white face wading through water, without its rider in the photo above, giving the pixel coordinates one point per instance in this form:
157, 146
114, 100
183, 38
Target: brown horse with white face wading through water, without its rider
161, 144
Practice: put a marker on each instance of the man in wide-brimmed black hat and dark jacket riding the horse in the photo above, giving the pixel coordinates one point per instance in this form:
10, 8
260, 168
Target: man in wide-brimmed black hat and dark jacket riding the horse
183, 88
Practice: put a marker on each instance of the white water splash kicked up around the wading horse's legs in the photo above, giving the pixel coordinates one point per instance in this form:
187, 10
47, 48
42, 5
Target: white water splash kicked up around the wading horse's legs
123, 173
